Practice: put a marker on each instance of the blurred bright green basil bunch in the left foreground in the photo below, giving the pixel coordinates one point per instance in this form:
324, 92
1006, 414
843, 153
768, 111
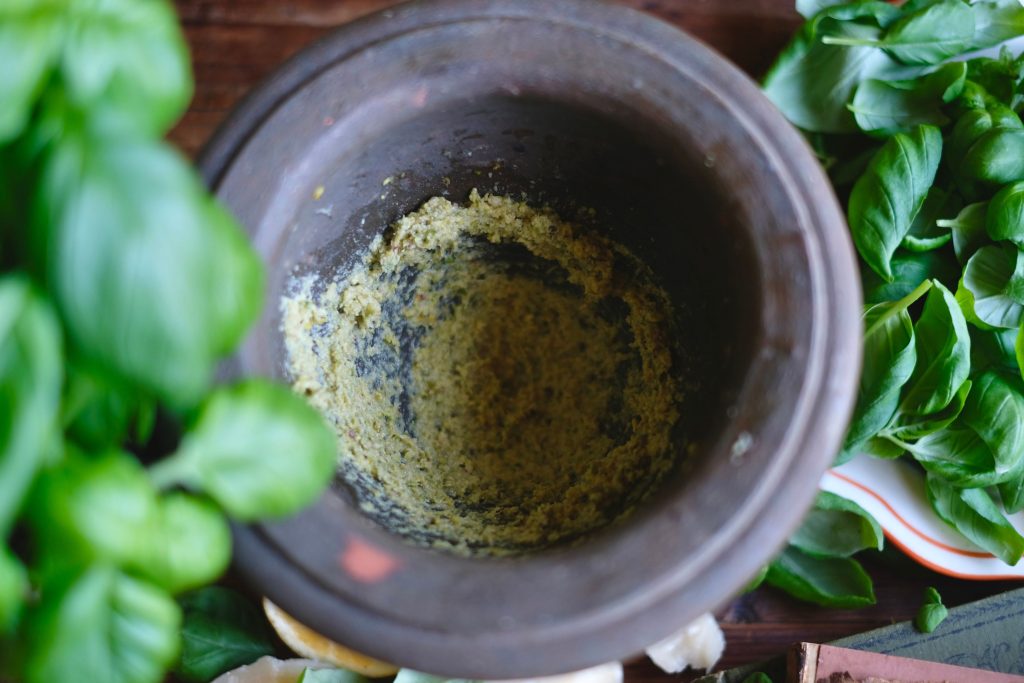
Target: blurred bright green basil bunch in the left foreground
122, 284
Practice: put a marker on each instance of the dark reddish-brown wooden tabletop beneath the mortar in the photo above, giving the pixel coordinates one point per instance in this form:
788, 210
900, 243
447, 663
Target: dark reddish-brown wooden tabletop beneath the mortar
236, 44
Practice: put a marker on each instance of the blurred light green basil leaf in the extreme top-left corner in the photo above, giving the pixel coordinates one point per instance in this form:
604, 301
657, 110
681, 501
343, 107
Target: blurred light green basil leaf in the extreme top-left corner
30, 40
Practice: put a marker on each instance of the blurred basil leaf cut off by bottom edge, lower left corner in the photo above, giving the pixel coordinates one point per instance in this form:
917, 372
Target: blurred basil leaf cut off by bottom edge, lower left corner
103, 626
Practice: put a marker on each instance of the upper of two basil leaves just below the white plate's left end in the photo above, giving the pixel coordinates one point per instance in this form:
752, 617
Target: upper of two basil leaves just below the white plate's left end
837, 528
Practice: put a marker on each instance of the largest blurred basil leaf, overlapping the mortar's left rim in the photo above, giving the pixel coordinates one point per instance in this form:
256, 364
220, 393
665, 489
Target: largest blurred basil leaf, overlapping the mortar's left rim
124, 228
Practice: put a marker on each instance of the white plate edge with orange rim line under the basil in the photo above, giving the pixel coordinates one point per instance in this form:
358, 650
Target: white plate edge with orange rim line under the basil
894, 494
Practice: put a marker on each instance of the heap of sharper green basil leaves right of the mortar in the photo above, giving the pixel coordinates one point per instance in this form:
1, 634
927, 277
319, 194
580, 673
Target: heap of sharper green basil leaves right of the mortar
927, 150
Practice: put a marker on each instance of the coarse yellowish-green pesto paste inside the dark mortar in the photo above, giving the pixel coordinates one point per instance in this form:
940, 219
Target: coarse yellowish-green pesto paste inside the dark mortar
500, 380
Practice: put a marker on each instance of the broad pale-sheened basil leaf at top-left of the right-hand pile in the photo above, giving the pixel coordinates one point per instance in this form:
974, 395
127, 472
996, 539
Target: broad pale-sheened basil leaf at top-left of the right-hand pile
812, 82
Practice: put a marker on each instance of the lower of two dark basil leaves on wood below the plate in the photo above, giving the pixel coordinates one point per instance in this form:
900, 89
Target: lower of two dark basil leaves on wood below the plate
833, 582
